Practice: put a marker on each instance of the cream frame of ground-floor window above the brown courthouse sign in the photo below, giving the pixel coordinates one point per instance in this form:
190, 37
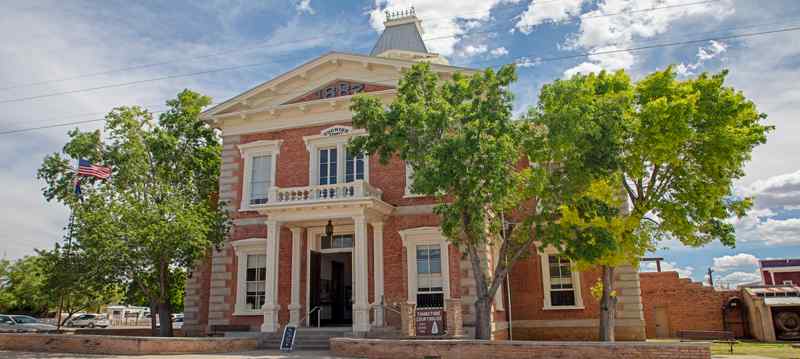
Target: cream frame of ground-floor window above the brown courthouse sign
414, 237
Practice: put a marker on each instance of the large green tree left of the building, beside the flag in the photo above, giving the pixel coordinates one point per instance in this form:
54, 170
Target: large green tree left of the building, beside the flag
158, 212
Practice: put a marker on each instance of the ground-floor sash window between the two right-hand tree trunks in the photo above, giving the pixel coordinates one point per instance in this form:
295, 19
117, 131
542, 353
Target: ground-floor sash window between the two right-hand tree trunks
562, 286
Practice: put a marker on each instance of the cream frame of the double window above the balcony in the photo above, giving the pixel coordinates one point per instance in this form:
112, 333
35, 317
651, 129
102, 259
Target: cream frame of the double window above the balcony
316, 142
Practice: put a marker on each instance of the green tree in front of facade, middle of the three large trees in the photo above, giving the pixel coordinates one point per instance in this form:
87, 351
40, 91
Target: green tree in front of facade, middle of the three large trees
467, 150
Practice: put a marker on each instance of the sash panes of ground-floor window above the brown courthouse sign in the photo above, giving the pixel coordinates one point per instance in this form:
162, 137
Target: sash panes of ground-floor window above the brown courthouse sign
429, 277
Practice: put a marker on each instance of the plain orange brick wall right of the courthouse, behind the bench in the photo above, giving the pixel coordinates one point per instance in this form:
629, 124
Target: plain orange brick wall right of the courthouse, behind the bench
688, 305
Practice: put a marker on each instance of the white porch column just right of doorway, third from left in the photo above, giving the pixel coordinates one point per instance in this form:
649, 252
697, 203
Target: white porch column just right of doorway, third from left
361, 276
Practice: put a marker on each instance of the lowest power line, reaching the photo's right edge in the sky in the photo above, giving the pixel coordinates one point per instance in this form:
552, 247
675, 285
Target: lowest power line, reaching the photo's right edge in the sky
517, 60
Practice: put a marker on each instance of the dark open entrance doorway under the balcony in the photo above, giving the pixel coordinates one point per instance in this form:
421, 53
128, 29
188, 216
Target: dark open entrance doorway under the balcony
331, 288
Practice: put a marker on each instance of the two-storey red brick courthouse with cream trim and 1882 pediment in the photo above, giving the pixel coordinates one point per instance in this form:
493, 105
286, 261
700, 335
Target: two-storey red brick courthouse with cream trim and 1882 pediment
322, 236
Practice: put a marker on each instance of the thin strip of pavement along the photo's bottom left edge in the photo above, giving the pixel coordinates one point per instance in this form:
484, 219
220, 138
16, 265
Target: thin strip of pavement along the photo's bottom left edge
259, 354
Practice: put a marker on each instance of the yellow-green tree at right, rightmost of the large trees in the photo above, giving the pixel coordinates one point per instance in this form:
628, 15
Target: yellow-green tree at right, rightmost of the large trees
673, 149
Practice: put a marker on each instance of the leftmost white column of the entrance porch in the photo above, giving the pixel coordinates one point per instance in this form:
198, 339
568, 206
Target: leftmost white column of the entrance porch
271, 306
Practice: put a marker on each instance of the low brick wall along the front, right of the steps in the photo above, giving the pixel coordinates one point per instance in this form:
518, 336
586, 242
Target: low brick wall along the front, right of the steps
468, 349
